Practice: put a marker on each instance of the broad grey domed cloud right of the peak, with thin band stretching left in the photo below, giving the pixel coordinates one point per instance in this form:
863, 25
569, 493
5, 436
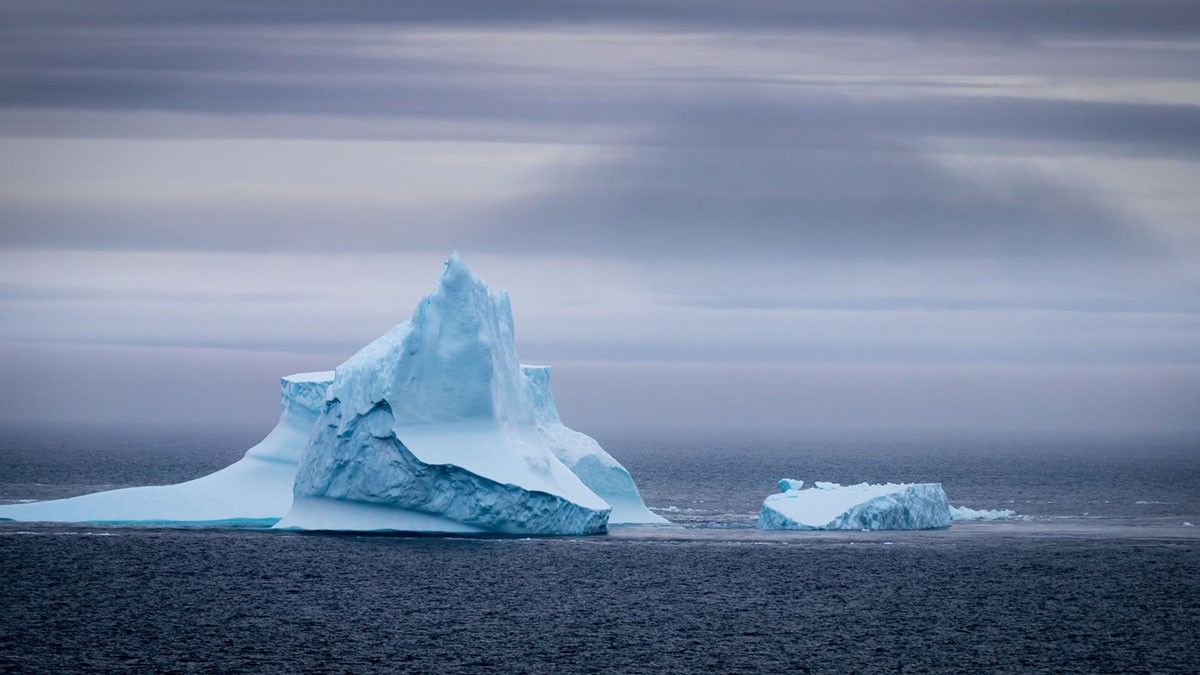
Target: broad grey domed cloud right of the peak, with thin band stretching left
771, 177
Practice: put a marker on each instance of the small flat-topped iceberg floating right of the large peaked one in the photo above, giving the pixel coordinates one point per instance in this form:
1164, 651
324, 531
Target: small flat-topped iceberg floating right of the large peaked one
830, 506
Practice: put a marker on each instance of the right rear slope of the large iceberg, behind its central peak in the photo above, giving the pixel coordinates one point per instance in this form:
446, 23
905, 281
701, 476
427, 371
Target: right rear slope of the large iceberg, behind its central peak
585, 457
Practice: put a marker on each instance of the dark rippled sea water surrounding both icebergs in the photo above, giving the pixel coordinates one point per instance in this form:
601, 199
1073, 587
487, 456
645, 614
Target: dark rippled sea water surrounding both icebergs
1101, 577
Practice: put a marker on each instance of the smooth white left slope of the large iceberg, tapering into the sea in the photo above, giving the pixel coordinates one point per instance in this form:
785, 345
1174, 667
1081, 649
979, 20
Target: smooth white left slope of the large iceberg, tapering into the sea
255, 491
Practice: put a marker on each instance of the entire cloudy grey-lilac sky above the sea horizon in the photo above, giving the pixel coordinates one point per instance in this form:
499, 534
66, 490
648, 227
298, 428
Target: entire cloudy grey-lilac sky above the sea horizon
711, 216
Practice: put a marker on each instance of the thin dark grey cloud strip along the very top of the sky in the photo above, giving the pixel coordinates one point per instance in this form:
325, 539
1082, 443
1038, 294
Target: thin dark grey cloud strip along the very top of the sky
1013, 19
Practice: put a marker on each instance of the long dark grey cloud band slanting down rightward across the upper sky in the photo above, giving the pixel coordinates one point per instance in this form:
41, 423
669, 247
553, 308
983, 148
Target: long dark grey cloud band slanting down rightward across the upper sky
250, 74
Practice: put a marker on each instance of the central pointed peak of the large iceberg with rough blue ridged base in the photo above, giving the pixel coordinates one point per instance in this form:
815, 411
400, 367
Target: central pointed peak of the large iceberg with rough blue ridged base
433, 428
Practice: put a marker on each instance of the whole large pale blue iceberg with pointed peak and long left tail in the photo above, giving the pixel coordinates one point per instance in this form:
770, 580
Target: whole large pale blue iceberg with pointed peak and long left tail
433, 428
